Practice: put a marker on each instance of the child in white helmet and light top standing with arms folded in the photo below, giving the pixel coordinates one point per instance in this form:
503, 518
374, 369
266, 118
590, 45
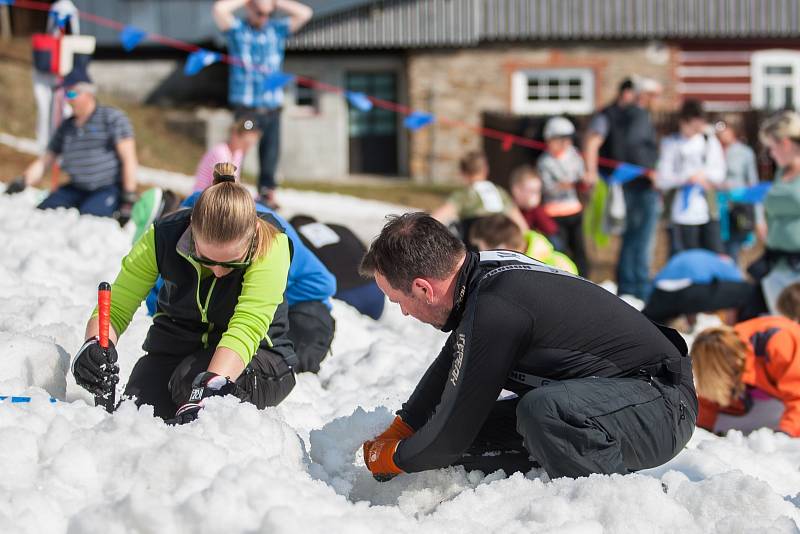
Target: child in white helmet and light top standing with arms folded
561, 170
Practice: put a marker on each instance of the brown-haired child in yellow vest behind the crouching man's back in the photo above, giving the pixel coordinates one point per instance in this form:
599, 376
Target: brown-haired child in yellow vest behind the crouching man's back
500, 232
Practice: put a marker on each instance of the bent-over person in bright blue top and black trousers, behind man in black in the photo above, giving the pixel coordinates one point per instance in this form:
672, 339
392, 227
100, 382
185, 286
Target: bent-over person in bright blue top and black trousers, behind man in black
695, 281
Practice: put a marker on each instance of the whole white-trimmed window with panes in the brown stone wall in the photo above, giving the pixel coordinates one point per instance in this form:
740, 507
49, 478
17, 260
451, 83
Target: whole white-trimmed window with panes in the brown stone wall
552, 91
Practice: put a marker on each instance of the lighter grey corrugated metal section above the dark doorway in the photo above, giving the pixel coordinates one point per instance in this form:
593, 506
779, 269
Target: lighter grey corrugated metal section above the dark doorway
395, 24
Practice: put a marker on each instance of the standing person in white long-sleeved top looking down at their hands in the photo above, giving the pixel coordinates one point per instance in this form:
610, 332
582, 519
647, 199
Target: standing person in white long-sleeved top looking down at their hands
691, 167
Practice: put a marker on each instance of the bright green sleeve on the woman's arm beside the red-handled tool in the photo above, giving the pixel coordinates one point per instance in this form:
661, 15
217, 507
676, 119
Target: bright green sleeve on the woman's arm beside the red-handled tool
135, 280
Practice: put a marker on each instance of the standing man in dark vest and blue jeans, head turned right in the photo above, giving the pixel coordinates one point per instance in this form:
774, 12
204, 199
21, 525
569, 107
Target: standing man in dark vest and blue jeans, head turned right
624, 131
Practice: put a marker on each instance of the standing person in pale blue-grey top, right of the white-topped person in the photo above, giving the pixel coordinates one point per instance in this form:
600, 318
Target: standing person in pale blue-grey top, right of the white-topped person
740, 172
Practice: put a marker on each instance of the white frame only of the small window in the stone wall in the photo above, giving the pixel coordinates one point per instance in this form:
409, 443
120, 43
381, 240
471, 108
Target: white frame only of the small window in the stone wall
520, 103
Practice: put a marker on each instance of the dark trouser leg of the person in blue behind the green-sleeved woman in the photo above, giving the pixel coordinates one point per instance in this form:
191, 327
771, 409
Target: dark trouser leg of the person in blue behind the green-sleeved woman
311, 329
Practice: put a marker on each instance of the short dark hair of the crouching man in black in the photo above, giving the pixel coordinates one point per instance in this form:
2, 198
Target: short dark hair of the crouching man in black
413, 245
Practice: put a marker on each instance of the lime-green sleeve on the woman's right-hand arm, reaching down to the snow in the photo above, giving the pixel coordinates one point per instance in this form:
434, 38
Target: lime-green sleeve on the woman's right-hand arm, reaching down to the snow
262, 292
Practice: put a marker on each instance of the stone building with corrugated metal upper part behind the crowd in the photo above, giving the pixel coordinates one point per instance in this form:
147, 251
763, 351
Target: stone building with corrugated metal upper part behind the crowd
472, 63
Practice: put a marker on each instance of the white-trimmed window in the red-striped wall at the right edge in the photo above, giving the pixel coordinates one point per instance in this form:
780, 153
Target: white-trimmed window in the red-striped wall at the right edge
775, 79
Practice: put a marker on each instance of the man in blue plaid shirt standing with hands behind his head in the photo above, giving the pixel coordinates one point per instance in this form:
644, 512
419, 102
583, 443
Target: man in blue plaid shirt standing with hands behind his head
258, 42
